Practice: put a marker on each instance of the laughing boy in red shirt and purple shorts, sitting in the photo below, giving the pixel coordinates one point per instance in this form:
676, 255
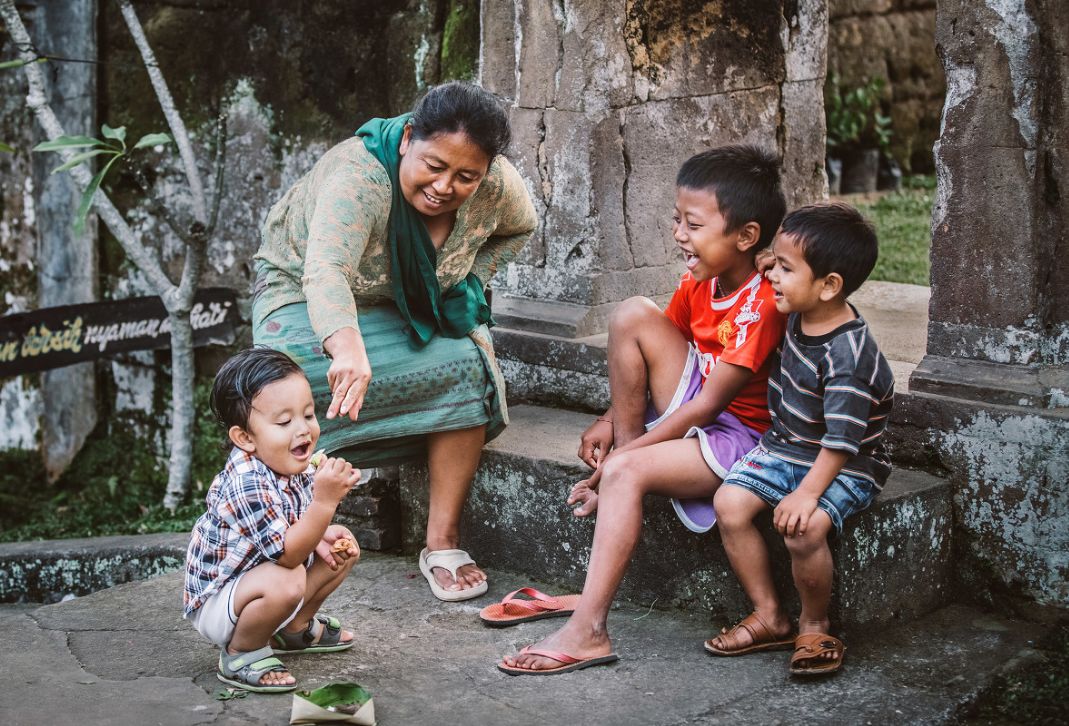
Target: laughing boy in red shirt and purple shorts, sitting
689, 388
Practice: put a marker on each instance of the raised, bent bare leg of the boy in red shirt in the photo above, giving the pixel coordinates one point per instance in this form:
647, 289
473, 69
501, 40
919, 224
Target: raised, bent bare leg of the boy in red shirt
646, 358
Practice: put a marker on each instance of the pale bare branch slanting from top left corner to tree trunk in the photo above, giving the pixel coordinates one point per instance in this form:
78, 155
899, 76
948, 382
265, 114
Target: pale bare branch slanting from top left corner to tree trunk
110, 215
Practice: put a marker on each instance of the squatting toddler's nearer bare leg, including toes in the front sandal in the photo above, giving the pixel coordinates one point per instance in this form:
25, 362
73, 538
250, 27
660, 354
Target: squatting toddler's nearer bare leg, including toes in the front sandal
266, 597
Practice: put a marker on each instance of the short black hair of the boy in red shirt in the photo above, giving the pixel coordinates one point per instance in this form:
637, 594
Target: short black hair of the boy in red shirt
746, 180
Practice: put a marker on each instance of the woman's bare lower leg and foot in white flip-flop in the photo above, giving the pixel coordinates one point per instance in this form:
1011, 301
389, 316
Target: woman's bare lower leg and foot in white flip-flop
453, 457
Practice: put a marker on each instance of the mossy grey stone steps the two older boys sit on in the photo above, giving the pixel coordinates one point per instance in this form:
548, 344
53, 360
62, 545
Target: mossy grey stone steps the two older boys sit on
893, 563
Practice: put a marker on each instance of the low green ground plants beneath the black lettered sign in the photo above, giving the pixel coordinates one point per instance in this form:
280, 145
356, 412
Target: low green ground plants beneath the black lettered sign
114, 487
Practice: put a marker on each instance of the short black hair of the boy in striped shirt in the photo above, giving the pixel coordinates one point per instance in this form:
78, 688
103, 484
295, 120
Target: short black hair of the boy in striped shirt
834, 238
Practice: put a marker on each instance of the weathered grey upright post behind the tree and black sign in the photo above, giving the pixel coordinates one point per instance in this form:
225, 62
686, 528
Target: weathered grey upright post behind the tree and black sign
68, 261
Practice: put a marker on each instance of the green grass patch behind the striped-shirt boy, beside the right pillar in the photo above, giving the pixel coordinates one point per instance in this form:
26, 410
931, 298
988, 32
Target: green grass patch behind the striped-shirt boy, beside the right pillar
903, 223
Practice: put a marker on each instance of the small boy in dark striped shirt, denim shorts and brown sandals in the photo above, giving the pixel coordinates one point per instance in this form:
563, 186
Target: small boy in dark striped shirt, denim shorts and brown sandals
822, 461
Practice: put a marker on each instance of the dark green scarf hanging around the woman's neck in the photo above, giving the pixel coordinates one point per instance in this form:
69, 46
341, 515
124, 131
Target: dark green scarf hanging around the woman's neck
413, 257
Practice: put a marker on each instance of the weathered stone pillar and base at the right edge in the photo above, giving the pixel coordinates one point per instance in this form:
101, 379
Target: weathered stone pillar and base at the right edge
997, 375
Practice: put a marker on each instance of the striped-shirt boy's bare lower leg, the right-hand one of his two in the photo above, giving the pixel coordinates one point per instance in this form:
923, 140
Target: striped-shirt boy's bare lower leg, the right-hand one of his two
814, 571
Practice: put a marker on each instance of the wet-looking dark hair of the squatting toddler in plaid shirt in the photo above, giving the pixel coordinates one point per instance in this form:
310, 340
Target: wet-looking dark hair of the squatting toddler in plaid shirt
243, 377
